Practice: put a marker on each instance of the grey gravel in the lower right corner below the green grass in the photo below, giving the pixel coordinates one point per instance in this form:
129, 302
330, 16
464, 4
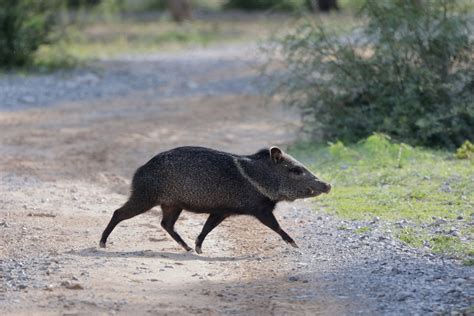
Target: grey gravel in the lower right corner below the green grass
373, 267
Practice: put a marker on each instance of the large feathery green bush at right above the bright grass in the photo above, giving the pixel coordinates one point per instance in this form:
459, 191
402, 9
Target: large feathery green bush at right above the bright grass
408, 73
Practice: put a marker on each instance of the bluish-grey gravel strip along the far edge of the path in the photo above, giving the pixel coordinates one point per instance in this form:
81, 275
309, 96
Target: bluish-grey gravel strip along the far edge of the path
169, 74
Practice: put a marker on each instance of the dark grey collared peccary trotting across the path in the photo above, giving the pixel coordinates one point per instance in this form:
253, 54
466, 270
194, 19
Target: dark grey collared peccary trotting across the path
204, 180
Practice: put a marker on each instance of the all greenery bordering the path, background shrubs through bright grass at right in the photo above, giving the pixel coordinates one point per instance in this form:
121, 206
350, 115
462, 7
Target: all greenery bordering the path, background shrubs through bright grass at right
373, 79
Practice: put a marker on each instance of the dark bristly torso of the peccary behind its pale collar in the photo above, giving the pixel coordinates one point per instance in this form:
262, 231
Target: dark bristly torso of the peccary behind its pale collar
196, 179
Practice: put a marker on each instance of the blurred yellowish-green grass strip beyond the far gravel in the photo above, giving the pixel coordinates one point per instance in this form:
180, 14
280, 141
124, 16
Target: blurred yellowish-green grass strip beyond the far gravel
90, 36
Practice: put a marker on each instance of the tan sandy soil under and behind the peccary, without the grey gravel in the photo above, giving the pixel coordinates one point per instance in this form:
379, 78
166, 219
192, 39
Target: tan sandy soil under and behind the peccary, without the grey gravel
64, 171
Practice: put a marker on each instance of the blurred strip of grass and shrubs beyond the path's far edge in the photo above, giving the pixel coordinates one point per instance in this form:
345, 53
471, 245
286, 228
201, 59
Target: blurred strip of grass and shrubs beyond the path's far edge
58, 33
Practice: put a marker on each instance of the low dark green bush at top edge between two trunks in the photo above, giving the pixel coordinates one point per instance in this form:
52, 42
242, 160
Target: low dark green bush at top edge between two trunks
283, 5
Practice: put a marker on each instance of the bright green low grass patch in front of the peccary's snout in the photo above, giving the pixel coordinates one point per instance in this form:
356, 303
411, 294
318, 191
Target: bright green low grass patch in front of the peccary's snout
393, 181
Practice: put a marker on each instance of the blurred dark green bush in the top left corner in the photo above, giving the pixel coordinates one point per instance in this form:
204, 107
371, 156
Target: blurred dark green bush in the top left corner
25, 25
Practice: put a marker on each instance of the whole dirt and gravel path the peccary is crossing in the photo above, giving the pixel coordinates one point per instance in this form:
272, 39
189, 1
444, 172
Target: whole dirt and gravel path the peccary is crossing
65, 167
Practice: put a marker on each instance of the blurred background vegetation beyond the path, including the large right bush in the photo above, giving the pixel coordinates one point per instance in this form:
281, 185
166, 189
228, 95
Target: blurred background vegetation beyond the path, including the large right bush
401, 67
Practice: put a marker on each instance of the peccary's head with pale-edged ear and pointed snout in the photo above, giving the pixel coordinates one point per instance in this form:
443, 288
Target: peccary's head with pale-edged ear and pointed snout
295, 180
